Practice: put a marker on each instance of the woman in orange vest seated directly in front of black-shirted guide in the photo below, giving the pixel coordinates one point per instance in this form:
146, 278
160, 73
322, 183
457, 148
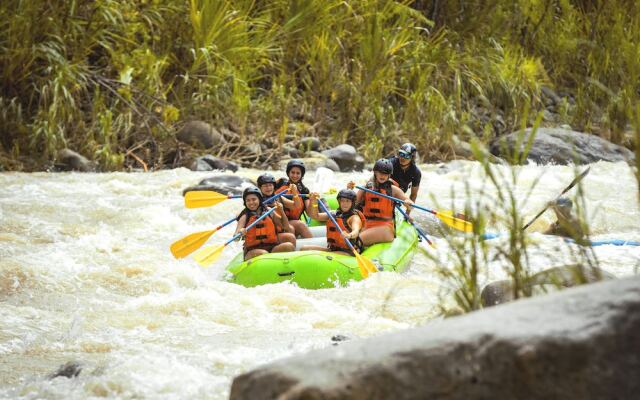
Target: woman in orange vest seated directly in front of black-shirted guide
378, 211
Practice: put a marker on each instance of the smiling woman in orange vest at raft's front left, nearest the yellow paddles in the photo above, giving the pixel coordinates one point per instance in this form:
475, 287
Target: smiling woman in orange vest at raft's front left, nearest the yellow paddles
262, 238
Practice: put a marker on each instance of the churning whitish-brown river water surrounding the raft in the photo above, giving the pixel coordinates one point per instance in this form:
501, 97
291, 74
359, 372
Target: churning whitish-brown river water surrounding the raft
86, 276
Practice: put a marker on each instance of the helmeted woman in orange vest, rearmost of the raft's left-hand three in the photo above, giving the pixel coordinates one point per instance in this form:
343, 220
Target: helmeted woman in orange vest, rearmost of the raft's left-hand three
297, 205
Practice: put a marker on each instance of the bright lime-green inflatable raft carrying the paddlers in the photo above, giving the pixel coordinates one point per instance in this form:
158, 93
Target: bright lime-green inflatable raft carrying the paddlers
323, 269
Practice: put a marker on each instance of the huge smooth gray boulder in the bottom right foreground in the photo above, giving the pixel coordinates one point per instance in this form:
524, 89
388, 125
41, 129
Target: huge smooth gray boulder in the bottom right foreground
581, 343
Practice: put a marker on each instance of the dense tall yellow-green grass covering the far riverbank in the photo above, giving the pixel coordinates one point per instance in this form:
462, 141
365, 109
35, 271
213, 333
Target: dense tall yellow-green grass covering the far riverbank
114, 79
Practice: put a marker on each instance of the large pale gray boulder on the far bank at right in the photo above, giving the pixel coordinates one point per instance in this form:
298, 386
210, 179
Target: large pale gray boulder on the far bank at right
562, 146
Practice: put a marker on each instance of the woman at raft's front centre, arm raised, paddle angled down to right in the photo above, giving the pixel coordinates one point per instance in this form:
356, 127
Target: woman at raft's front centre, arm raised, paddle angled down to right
348, 218
